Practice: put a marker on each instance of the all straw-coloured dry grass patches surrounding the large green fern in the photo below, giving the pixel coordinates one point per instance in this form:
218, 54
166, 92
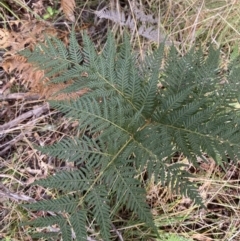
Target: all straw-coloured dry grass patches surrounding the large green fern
186, 23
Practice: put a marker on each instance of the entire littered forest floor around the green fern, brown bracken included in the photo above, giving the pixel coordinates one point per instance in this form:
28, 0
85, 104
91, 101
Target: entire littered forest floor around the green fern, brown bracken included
26, 120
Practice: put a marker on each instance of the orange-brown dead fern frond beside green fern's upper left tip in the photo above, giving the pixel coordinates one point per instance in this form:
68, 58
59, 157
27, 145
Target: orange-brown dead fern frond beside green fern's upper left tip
23, 34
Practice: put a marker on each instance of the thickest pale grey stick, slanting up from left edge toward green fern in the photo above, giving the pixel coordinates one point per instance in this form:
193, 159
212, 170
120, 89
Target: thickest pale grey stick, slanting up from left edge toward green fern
35, 112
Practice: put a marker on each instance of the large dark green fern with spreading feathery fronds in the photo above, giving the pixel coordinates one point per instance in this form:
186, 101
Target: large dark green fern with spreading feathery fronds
138, 115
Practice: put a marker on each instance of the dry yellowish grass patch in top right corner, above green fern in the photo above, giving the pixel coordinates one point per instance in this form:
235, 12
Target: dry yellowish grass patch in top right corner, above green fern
201, 22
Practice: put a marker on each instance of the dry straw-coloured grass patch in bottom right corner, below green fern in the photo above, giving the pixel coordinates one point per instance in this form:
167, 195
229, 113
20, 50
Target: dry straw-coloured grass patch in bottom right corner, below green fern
219, 221
